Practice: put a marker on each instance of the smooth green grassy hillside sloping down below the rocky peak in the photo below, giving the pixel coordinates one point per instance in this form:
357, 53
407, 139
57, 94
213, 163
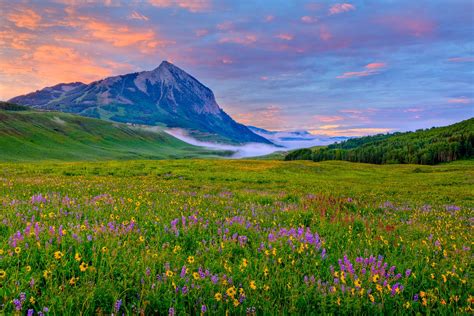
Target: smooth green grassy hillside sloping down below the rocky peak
27, 135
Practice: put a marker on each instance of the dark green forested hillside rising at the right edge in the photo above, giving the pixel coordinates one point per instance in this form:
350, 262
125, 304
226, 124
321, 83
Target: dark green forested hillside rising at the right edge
429, 147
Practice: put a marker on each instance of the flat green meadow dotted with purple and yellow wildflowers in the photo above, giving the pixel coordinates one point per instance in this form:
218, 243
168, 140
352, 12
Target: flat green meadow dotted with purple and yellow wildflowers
224, 236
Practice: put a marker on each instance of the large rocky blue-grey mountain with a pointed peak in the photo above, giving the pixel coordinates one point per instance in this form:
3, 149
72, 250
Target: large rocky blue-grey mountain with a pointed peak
166, 95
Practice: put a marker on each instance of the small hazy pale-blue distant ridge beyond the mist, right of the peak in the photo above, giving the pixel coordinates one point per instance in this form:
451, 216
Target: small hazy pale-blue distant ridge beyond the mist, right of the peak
296, 139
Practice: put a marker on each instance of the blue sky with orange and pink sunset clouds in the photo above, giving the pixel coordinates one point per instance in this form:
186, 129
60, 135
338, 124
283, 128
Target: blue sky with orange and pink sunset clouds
334, 68
